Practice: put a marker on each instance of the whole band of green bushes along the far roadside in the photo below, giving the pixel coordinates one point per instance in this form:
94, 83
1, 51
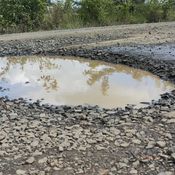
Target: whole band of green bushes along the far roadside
28, 15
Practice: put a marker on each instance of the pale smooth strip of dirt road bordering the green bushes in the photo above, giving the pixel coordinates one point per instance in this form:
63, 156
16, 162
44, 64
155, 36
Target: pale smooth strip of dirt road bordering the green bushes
136, 33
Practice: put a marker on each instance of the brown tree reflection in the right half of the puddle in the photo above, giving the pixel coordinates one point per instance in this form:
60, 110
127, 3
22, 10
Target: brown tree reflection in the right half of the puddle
96, 75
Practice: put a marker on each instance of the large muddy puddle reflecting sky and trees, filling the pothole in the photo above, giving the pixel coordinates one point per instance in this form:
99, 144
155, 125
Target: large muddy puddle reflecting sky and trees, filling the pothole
74, 81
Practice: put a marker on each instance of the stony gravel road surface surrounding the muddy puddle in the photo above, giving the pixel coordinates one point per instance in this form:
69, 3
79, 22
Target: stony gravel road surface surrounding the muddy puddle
63, 140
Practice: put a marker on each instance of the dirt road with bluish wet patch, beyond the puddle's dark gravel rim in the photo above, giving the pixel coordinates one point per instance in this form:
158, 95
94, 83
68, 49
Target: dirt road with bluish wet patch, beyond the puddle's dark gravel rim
141, 38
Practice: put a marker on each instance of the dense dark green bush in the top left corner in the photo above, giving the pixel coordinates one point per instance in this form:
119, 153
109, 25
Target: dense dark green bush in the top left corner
24, 14
